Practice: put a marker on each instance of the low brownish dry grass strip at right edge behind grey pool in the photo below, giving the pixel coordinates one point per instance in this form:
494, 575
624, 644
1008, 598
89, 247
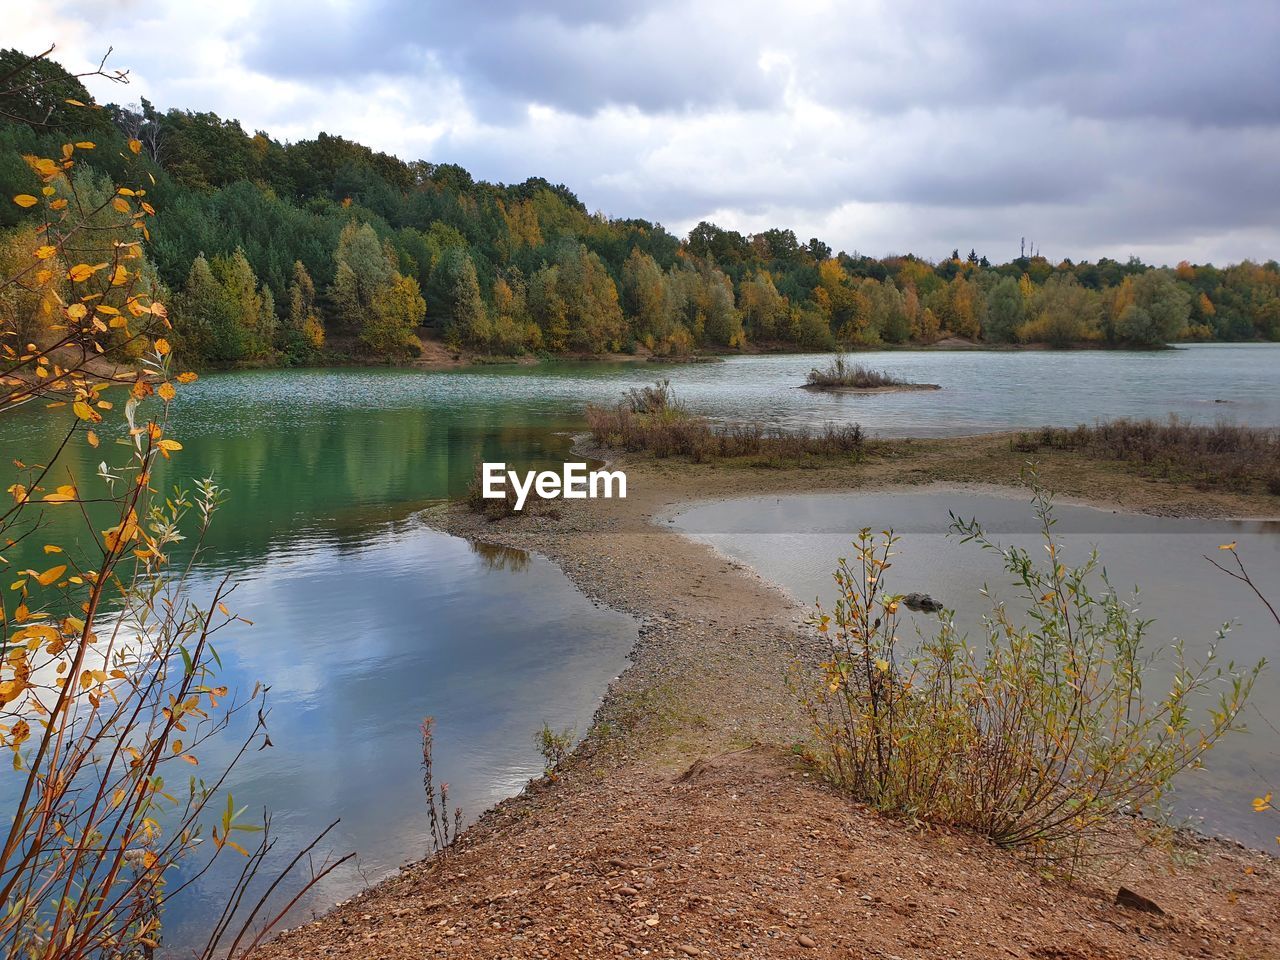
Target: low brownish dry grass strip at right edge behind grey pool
1244, 459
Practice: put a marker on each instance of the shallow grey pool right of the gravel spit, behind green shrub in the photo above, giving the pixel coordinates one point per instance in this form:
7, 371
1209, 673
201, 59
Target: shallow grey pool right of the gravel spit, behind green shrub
798, 541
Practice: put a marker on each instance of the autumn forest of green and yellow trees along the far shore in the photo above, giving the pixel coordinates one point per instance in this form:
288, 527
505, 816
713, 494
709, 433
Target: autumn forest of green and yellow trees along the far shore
326, 250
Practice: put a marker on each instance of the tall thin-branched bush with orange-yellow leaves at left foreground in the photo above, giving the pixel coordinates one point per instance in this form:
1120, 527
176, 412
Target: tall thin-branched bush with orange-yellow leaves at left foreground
108, 687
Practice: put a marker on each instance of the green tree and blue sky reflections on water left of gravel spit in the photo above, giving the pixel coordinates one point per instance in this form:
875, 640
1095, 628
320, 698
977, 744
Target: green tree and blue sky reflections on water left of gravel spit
365, 621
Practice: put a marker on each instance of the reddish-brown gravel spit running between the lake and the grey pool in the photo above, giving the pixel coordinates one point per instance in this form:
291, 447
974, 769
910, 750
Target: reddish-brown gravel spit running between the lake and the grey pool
683, 826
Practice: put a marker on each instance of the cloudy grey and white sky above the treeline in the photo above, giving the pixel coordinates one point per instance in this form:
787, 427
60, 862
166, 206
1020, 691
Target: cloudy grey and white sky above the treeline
1092, 129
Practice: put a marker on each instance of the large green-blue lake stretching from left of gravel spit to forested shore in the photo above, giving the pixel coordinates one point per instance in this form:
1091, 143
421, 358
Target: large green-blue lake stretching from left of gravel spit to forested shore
367, 621
